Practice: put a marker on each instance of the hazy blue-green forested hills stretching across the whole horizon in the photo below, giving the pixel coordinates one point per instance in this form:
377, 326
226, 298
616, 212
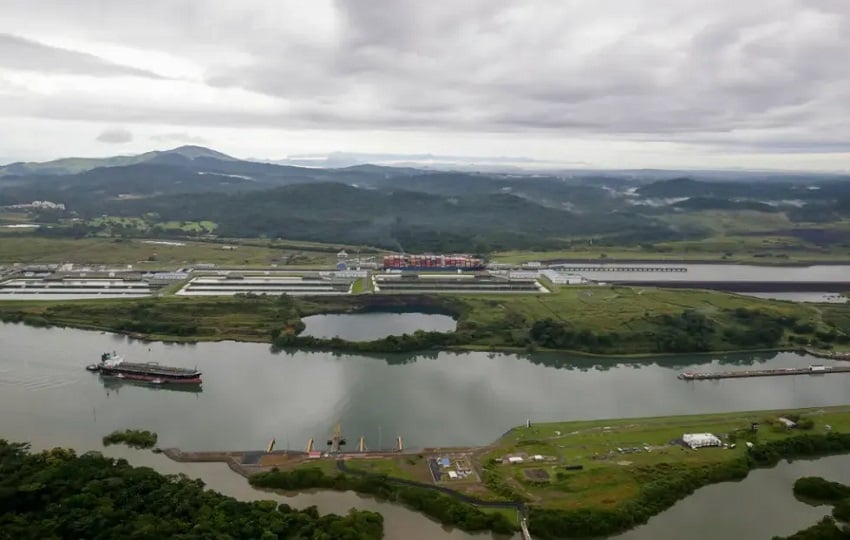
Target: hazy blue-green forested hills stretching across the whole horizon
402, 208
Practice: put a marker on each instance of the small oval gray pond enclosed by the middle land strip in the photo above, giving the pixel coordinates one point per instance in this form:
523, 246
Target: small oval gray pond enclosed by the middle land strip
369, 326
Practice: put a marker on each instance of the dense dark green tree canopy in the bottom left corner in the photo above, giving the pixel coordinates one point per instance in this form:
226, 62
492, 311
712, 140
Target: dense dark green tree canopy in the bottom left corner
58, 494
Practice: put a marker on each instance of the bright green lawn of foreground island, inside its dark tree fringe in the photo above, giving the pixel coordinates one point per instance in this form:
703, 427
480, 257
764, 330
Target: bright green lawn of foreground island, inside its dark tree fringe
609, 460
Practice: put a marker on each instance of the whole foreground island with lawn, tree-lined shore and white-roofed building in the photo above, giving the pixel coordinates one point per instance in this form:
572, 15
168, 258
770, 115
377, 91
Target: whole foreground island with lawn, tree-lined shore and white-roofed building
569, 479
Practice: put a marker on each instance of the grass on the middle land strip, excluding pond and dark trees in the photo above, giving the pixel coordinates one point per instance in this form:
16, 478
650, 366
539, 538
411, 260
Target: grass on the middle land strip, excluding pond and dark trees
630, 316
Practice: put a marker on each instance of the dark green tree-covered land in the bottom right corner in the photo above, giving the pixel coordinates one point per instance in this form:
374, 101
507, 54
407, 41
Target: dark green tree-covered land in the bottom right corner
816, 490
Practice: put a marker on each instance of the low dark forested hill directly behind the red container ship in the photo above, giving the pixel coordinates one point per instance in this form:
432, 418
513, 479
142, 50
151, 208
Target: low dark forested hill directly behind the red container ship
396, 219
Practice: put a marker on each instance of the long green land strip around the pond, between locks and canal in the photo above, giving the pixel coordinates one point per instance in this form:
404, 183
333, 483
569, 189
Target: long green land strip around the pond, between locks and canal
600, 320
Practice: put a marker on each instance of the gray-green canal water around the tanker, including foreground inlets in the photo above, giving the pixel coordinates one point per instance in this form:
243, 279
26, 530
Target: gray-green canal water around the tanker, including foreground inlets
251, 395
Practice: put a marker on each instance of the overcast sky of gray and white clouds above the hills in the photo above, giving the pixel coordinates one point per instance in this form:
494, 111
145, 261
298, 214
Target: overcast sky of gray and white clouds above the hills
755, 84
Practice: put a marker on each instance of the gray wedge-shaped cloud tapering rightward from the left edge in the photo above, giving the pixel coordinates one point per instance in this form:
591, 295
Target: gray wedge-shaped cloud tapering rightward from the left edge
20, 53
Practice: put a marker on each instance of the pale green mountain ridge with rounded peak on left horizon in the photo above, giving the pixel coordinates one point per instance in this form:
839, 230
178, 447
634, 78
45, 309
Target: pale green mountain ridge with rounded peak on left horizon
78, 165
